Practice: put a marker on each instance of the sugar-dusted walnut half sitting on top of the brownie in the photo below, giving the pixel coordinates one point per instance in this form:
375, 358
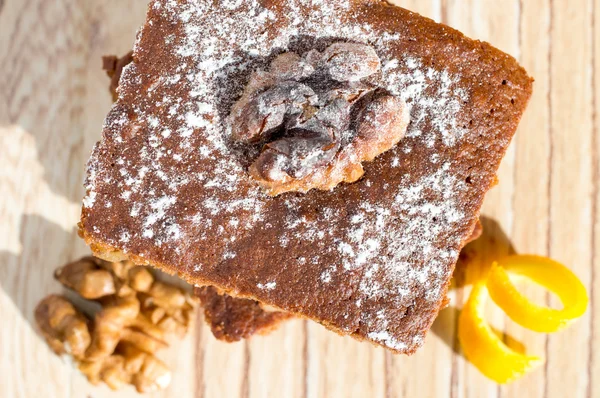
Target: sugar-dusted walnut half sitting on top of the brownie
318, 118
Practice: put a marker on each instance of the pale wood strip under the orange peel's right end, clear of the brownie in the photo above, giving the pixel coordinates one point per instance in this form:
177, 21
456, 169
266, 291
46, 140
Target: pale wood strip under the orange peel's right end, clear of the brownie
570, 182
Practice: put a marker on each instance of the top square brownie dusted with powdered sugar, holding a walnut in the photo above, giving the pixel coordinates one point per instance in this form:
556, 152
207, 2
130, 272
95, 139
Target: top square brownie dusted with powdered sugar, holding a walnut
370, 256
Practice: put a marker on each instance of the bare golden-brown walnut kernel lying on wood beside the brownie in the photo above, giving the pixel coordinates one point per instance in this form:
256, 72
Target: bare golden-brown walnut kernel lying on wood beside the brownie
139, 316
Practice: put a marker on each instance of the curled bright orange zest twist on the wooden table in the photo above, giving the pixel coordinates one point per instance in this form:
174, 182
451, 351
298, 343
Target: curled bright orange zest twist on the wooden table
483, 347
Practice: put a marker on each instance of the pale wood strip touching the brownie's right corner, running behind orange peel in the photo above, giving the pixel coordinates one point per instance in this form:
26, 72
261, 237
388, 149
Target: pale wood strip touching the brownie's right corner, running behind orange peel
531, 194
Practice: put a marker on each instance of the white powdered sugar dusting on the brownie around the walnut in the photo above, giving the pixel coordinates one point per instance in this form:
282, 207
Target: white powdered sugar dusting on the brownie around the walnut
193, 127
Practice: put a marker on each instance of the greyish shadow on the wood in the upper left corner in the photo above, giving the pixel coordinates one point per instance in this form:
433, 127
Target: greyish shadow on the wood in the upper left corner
53, 85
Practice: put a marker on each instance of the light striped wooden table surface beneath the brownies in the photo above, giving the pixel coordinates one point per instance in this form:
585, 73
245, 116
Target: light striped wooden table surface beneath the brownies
53, 99
